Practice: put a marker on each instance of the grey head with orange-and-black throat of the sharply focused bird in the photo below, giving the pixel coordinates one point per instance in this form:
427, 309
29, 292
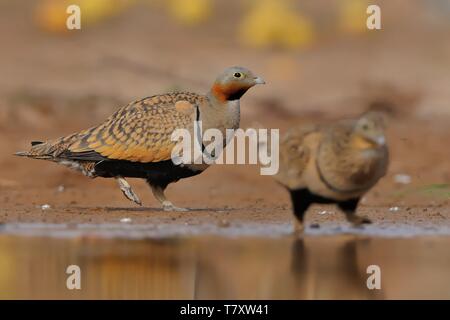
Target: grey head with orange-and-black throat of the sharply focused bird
233, 83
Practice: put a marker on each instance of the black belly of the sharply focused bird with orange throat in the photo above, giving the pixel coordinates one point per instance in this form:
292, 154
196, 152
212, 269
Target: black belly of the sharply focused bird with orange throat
163, 172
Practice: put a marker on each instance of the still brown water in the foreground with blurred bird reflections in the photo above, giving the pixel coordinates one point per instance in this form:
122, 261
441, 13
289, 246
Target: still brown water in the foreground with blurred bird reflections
327, 267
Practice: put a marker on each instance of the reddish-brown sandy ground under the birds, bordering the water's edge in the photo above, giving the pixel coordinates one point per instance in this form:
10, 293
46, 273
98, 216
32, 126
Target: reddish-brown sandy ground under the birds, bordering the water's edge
226, 195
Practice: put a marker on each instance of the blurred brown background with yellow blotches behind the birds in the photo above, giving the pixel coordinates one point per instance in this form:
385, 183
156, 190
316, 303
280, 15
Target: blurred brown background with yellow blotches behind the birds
318, 56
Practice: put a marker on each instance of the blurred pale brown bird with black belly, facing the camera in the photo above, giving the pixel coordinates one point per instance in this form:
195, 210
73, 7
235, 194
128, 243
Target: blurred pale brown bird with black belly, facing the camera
335, 163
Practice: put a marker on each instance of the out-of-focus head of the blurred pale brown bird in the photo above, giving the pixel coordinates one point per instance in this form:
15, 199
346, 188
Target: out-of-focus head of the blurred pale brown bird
368, 132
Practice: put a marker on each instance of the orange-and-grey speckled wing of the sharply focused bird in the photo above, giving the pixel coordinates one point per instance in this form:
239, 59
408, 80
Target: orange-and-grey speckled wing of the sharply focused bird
139, 132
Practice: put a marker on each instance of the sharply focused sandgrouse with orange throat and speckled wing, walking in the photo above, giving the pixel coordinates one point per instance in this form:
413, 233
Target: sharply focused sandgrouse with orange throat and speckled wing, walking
136, 140
